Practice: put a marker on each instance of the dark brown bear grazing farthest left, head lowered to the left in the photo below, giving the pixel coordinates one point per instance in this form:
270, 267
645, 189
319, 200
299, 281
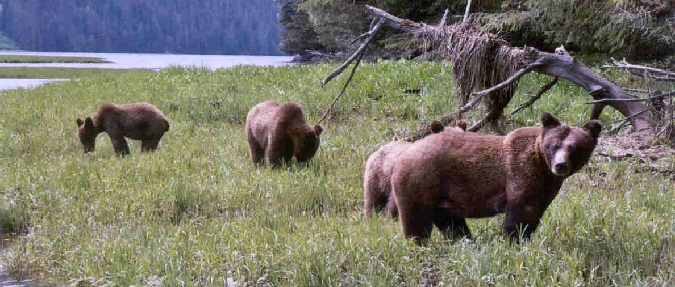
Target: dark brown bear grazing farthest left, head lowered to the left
139, 121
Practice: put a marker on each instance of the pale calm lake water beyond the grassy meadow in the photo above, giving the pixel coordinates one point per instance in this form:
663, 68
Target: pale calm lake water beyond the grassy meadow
137, 61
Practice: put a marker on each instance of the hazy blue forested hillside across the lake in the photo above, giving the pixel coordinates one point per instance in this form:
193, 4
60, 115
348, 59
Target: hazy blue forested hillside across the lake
151, 26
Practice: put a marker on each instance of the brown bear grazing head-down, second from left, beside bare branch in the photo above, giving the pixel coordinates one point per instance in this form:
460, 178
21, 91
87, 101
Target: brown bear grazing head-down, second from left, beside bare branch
280, 132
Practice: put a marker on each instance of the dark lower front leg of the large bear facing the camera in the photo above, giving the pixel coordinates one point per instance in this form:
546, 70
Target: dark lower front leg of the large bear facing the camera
521, 220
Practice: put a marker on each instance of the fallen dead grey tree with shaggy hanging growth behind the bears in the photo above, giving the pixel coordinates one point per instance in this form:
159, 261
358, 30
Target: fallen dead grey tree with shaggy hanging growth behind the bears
482, 61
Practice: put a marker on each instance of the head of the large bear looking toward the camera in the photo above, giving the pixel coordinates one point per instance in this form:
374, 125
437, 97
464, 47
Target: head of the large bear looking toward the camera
567, 149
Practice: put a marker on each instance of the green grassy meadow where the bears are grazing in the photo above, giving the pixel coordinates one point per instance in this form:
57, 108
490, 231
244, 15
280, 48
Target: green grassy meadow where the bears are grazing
198, 213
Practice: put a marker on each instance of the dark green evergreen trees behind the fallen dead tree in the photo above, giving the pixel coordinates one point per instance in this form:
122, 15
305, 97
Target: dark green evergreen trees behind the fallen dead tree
630, 28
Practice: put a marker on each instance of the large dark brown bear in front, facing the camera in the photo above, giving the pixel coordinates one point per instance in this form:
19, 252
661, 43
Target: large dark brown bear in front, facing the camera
445, 178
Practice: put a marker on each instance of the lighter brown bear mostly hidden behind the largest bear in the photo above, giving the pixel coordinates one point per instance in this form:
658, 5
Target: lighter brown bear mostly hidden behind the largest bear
377, 194
